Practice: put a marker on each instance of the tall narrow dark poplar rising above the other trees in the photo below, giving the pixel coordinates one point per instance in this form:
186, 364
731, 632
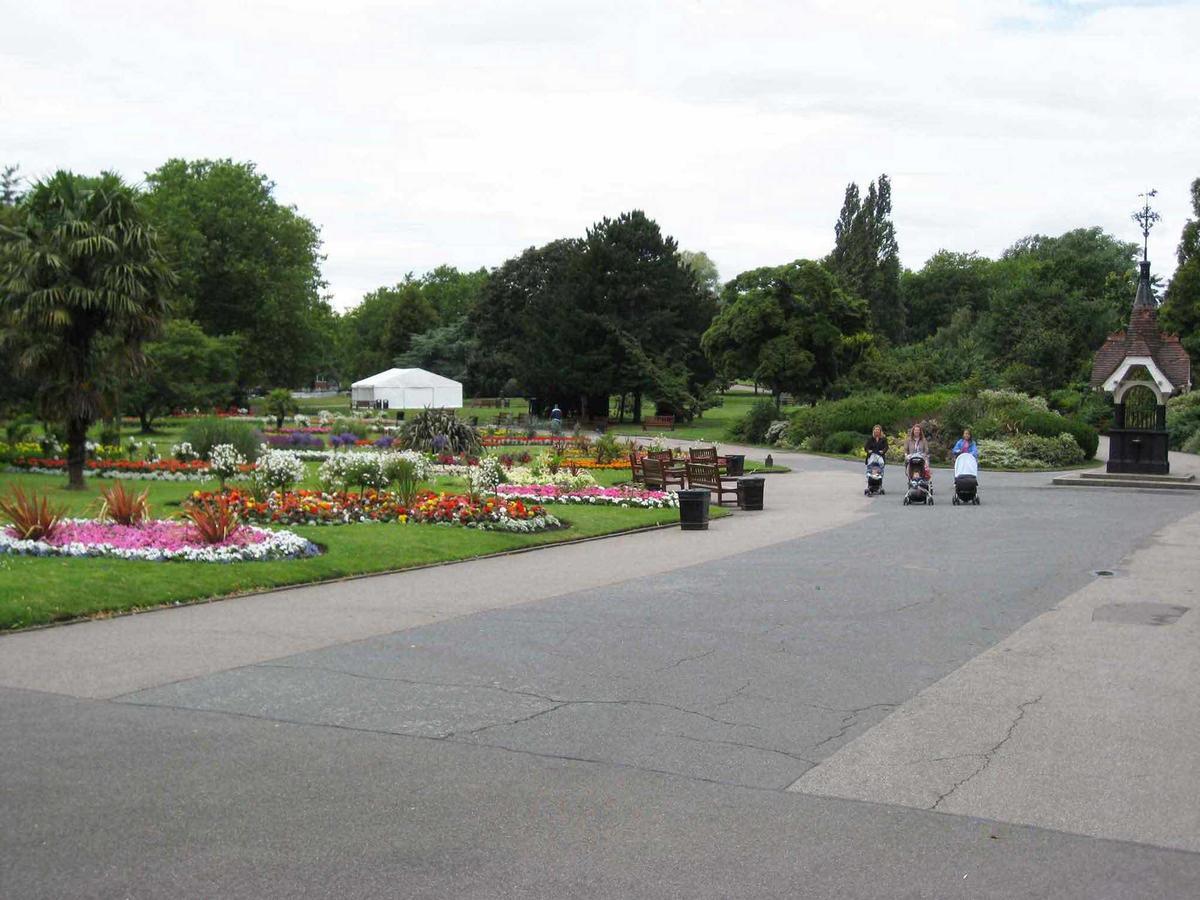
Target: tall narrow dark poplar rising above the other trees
867, 257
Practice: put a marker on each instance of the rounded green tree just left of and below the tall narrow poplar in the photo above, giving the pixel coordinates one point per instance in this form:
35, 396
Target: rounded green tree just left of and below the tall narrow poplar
791, 328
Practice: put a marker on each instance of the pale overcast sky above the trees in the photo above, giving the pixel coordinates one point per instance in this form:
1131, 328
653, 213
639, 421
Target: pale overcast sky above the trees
418, 134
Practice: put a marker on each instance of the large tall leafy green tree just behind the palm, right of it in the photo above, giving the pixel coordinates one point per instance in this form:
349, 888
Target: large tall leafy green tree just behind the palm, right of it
248, 266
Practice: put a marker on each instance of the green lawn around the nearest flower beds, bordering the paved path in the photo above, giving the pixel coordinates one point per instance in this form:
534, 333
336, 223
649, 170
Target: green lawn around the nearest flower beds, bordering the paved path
37, 591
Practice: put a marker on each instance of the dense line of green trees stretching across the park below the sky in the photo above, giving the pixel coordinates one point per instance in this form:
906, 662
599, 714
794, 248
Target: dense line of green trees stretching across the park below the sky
238, 304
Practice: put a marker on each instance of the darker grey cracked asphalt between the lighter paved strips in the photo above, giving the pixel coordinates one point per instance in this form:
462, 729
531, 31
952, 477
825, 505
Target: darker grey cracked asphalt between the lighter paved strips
634, 740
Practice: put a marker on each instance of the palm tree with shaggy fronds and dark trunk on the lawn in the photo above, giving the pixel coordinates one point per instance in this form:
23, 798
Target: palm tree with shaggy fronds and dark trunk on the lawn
82, 286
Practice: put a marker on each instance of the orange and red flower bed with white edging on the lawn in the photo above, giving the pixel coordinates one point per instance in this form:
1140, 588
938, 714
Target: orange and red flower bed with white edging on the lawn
315, 508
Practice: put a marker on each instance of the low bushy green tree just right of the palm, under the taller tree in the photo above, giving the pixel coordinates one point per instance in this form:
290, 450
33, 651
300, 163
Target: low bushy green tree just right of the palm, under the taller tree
184, 369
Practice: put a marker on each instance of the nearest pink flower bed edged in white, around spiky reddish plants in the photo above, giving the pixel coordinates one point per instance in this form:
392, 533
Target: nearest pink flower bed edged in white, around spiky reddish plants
159, 541
